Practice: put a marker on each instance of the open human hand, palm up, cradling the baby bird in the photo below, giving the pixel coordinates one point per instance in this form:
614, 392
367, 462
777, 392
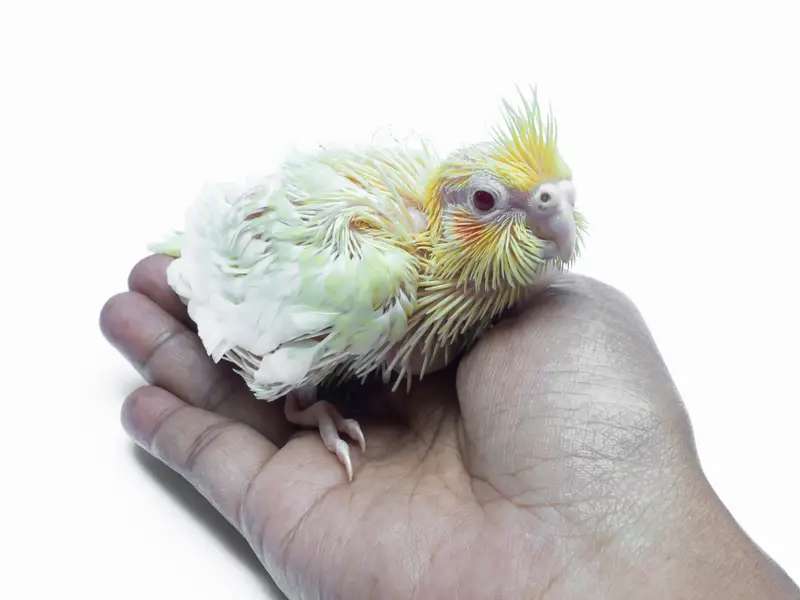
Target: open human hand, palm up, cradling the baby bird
554, 461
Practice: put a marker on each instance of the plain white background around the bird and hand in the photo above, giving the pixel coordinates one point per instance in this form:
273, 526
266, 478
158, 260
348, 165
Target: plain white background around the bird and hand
679, 119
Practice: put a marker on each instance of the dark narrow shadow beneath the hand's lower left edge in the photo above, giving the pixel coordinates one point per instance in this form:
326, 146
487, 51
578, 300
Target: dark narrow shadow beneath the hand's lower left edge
205, 514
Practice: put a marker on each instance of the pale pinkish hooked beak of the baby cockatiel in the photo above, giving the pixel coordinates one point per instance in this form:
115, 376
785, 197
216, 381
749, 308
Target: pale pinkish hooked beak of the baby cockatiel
554, 220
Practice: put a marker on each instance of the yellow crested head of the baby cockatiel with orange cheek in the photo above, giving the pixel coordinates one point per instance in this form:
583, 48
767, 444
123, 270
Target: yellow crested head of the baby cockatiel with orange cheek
502, 212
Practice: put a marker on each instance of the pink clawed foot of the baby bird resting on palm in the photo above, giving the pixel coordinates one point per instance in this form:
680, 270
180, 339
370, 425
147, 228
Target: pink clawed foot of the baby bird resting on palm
324, 415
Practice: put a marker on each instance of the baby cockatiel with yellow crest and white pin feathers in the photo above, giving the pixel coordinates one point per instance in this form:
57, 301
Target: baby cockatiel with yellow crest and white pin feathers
349, 261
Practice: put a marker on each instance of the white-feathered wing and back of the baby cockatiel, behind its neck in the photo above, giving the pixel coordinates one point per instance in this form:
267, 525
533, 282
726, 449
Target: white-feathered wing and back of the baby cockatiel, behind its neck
307, 275
